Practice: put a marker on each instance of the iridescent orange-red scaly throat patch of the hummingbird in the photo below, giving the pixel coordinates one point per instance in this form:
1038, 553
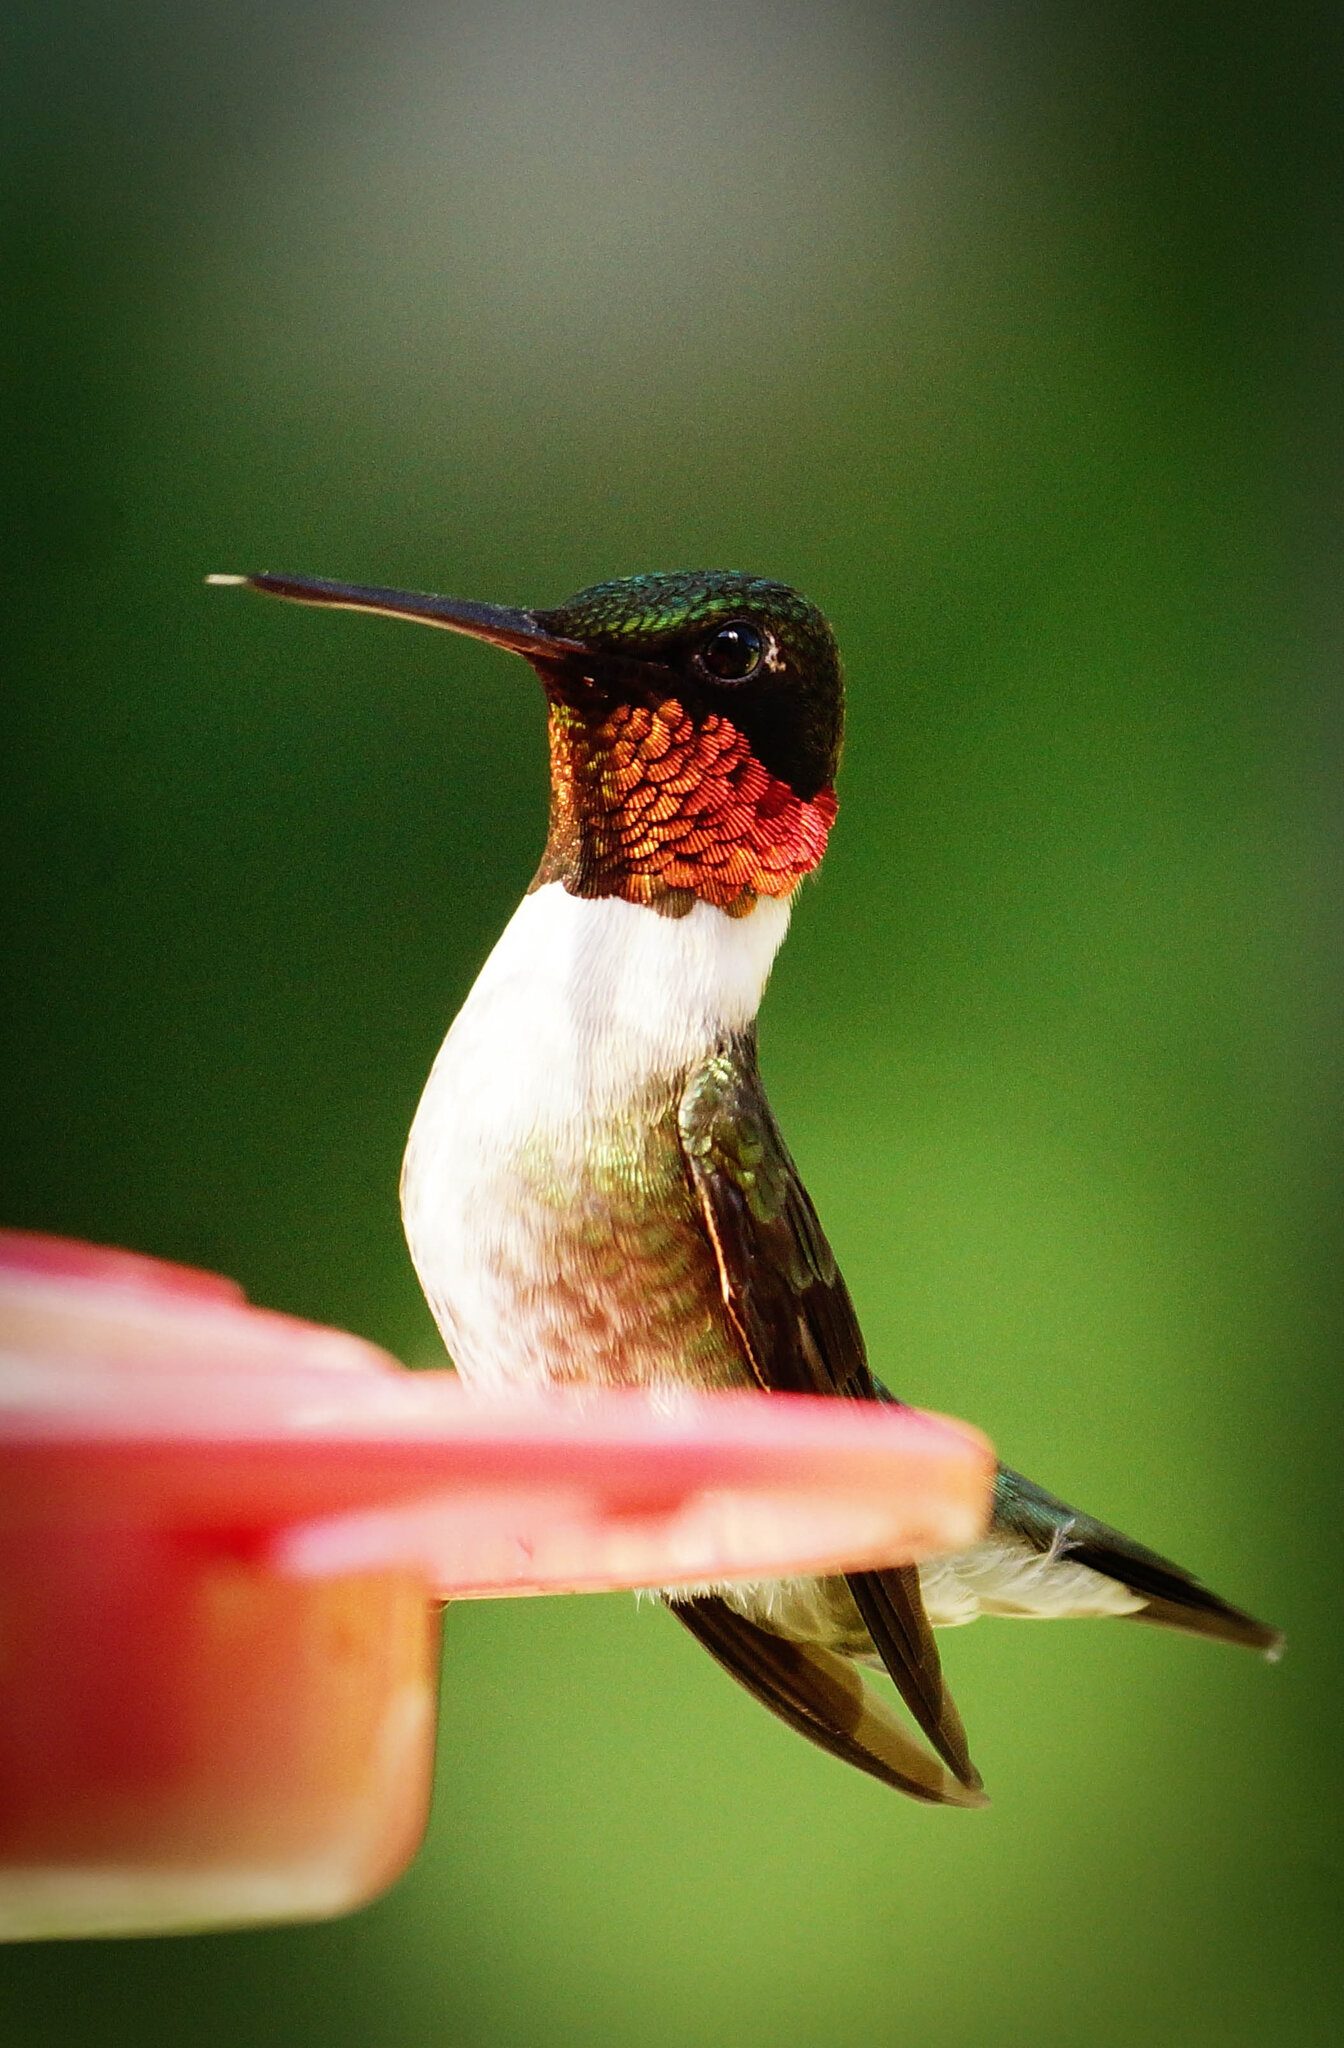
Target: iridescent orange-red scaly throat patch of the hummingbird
659, 810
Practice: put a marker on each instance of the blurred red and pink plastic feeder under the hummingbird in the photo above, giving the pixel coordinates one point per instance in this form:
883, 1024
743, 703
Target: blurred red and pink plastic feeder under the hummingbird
224, 1539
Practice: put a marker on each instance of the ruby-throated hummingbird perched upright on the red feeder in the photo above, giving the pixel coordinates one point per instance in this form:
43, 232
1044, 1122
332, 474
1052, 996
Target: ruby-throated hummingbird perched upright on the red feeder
595, 1189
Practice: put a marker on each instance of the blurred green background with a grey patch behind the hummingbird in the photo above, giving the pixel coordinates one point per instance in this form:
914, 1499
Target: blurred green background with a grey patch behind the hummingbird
1009, 337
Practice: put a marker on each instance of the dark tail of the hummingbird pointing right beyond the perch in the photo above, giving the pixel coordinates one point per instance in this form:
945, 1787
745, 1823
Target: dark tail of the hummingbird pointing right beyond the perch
1171, 1594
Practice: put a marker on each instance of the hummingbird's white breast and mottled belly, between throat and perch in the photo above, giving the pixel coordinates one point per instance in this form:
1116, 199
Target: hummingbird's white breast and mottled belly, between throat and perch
534, 1152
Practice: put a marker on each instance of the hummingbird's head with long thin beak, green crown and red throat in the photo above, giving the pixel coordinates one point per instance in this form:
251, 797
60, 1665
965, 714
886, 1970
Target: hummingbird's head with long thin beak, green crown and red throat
696, 728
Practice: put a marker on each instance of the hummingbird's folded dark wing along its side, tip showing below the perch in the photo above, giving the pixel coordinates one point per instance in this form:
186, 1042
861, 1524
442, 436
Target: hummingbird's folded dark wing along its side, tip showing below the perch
800, 1334
